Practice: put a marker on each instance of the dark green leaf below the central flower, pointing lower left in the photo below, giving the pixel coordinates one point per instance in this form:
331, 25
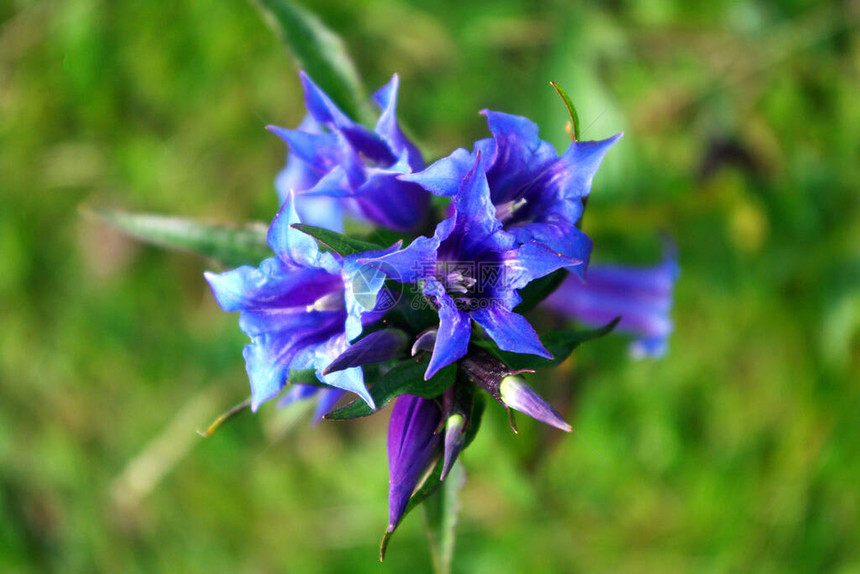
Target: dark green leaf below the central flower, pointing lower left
406, 378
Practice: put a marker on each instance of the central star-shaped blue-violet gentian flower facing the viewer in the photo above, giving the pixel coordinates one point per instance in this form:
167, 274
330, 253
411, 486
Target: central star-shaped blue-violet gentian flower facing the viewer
471, 269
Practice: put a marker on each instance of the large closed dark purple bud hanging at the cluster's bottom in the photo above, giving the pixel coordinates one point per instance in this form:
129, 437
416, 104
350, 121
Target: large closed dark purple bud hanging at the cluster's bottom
412, 445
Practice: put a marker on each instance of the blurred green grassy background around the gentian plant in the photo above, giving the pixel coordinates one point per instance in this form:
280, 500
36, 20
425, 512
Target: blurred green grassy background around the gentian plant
738, 452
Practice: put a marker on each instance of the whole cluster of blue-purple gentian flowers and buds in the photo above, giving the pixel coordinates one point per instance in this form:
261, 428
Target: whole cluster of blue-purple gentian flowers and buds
330, 314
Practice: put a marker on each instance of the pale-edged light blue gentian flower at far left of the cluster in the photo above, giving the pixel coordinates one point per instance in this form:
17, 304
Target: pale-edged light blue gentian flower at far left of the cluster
299, 310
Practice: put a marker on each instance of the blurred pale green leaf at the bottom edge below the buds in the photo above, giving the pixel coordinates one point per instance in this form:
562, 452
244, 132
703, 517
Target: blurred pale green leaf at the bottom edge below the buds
440, 518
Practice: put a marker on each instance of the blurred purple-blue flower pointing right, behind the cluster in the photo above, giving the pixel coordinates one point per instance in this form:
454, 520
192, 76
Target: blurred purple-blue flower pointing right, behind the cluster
642, 296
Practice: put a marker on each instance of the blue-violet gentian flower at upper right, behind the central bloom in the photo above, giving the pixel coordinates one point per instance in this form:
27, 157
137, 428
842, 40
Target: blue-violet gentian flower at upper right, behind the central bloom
537, 194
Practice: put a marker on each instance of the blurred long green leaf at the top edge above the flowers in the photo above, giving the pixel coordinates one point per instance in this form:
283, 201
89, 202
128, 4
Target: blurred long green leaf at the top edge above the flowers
320, 53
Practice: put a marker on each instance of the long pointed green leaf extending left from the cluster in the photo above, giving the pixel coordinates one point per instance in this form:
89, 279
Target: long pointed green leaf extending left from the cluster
231, 245
